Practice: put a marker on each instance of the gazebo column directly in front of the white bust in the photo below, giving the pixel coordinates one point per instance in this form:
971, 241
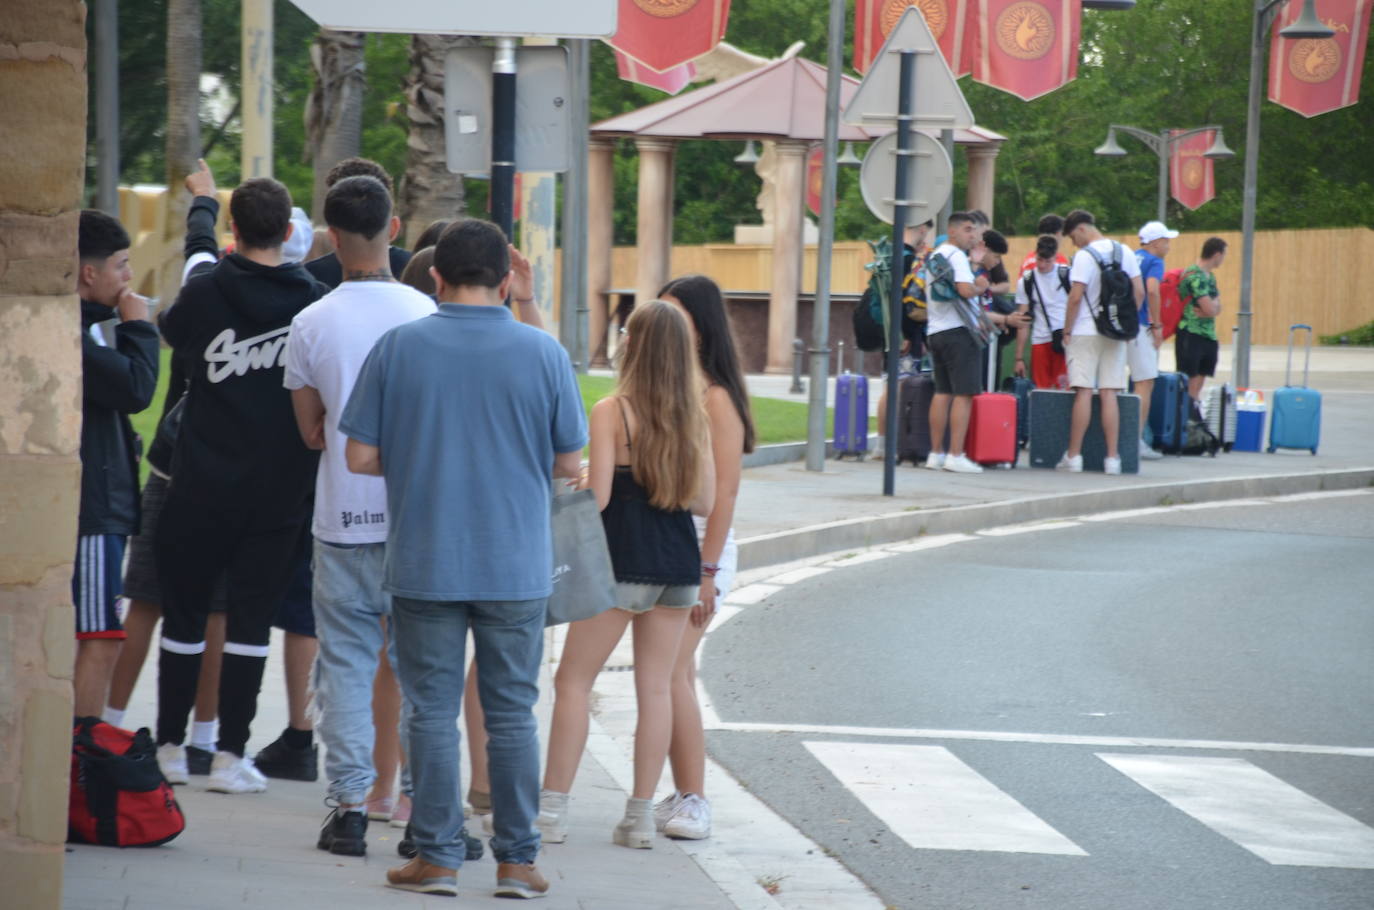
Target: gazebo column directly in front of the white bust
787, 267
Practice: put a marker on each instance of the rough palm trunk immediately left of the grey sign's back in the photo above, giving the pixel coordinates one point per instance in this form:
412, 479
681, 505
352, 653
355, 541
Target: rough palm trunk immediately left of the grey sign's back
428, 192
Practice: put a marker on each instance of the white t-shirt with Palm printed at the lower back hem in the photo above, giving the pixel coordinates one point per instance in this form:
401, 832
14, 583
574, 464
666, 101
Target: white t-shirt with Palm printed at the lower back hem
328, 346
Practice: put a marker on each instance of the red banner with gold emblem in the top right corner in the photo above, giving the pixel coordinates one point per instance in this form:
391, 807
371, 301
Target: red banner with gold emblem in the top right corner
1316, 76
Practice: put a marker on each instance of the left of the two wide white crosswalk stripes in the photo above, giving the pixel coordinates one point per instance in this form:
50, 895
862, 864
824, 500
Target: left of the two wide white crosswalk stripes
934, 801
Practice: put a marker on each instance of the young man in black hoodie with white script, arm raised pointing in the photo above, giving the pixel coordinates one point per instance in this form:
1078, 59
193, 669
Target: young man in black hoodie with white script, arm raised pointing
241, 476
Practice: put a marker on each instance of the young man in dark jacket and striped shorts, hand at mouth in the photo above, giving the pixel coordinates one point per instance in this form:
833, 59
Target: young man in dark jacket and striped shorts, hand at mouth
116, 383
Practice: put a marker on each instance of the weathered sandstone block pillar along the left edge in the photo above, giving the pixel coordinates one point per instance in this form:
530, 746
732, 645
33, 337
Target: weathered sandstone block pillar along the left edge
43, 94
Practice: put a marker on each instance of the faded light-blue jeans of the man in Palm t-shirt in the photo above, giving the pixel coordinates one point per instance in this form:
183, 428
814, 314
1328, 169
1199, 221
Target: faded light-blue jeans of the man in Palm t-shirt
350, 608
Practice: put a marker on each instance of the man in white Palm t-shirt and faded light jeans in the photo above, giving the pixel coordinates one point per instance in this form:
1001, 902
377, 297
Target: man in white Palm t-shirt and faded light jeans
326, 348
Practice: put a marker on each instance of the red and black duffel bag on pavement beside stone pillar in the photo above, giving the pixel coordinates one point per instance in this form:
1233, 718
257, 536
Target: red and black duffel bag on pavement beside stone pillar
119, 794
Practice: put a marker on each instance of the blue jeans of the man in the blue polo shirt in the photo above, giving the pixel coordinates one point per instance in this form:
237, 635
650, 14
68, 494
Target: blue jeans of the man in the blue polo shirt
509, 640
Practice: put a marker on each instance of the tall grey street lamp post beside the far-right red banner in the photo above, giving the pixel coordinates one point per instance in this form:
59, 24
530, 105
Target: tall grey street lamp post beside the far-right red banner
1307, 27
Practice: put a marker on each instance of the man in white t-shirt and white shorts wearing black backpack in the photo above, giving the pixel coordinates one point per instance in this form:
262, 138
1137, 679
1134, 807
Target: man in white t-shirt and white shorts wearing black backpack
1094, 361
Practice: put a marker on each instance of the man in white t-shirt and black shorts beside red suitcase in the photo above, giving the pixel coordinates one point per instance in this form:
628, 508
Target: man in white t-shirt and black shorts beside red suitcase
954, 353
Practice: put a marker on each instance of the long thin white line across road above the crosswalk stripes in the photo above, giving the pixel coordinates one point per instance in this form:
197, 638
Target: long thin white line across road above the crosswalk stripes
1042, 739
